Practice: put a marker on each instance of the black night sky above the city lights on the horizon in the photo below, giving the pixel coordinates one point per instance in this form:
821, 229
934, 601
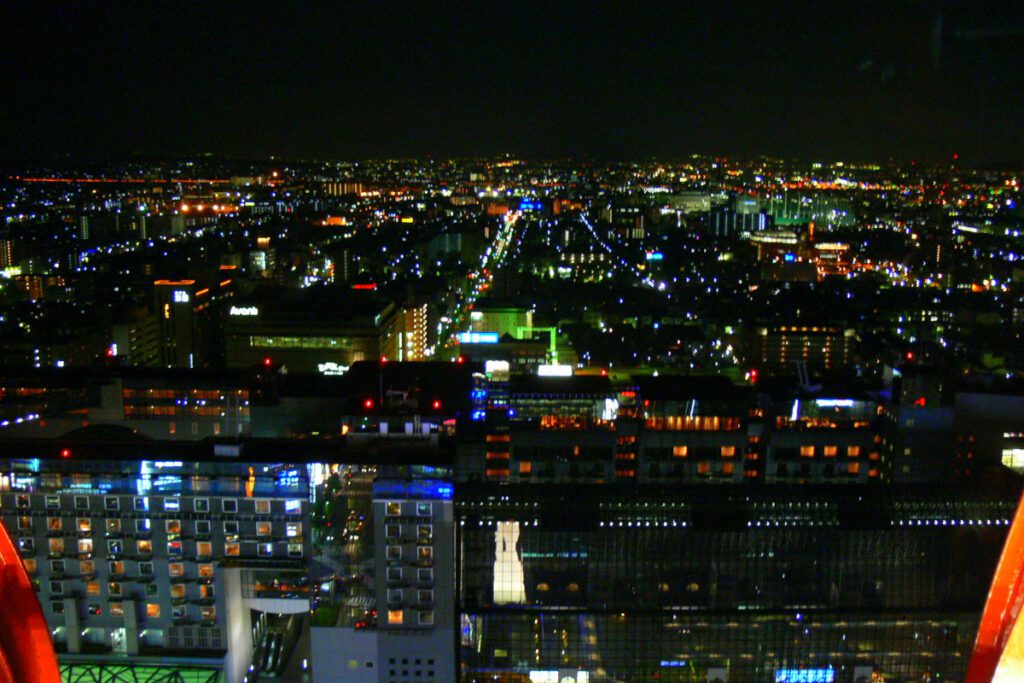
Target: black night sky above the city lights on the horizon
862, 81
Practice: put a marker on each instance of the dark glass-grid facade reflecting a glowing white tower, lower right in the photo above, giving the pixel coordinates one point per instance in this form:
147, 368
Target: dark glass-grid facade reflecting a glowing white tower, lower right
694, 584
